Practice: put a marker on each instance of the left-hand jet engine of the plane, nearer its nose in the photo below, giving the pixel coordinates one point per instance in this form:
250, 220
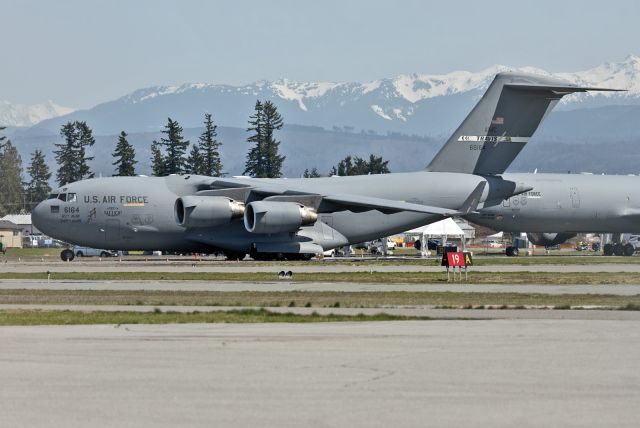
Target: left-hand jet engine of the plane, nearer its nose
206, 211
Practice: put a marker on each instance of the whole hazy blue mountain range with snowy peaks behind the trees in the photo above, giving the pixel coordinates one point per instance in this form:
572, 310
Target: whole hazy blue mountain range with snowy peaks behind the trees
405, 119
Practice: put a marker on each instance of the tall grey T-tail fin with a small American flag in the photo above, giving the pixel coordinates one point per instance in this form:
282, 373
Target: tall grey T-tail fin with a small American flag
502, 122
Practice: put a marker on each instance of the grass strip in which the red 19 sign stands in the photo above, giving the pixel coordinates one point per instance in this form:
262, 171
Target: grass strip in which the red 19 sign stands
509, 278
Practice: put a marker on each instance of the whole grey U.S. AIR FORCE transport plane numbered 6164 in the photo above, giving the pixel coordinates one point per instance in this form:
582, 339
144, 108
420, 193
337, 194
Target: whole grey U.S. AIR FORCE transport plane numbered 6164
297, 218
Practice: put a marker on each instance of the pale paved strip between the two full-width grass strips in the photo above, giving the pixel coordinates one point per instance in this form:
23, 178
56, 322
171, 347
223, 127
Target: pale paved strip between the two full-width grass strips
616, 289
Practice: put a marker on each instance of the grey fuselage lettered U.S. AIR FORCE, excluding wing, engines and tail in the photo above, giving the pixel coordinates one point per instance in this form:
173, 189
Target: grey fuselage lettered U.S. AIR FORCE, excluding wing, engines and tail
137, 213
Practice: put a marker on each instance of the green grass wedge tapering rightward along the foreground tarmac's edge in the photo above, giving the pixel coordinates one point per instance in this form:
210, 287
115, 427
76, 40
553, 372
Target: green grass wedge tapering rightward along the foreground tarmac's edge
29, 317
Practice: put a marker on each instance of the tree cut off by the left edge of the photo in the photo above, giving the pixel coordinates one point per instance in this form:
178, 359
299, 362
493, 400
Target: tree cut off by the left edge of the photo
11, 191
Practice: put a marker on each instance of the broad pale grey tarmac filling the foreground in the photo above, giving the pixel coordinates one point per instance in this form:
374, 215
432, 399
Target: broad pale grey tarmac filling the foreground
436, 373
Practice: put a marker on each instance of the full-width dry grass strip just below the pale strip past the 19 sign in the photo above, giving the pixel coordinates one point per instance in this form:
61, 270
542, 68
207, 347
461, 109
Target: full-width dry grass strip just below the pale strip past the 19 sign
310, 298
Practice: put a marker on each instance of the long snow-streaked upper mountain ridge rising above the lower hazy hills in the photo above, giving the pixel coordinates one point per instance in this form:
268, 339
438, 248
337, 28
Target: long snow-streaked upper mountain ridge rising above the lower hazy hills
413, 103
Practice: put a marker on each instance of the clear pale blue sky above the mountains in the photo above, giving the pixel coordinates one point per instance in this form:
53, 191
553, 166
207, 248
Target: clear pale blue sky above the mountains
81, 53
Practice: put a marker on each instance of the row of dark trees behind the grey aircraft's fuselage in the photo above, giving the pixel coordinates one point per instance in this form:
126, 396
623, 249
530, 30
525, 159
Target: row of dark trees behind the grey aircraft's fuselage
169, 155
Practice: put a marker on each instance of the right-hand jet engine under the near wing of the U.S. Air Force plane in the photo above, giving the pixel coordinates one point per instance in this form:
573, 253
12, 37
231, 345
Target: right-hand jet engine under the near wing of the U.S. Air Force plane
277, 217
